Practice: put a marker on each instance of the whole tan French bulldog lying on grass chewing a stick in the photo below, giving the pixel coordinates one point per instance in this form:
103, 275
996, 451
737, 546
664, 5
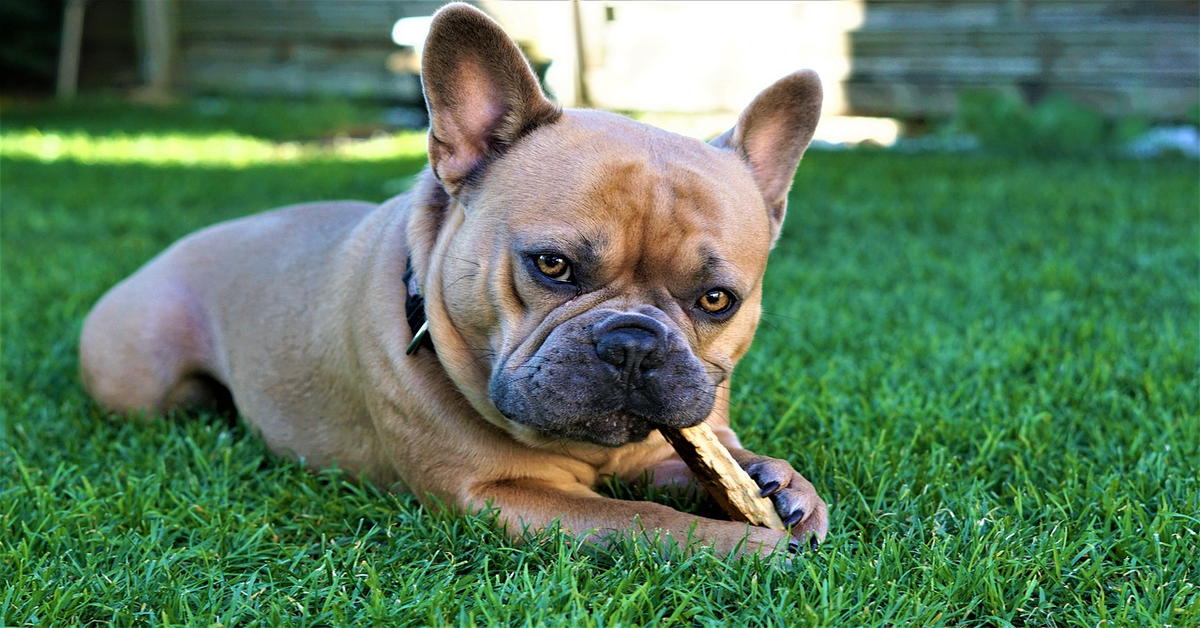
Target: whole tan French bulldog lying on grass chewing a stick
556, 288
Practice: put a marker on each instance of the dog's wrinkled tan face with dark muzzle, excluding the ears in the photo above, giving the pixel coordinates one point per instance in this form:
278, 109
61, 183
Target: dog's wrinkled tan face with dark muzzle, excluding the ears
620, 295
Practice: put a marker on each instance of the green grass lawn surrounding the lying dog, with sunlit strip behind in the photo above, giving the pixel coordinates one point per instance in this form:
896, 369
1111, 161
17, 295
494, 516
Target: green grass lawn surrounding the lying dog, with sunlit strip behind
988, 366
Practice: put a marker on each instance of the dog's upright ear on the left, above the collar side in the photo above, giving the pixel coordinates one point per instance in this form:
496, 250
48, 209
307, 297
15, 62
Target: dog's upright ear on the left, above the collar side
481, 93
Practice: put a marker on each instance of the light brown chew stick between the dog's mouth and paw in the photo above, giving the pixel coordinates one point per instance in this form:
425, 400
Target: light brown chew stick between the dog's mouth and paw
722, 476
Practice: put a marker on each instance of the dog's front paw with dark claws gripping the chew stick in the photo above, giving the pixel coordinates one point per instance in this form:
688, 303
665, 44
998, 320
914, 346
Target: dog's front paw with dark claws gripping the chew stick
794, 497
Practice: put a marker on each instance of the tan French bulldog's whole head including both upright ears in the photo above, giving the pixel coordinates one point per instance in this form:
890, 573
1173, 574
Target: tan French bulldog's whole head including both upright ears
592, 278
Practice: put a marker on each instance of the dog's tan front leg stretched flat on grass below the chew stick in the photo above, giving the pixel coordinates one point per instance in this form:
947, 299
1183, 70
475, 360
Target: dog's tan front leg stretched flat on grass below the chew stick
533, 505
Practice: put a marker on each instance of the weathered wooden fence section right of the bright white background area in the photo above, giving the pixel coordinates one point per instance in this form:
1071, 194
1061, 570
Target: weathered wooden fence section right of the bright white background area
911, 58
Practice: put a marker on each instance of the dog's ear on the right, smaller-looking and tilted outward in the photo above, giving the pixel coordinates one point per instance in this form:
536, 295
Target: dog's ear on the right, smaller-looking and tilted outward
772, 134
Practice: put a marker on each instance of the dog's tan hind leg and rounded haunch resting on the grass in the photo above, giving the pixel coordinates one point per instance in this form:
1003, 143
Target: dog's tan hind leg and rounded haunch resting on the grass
146, 346
